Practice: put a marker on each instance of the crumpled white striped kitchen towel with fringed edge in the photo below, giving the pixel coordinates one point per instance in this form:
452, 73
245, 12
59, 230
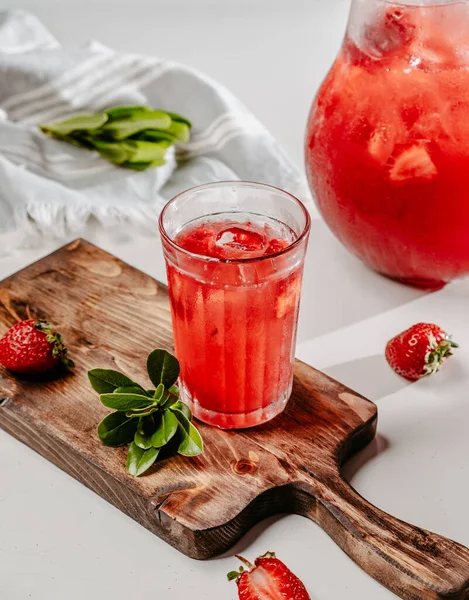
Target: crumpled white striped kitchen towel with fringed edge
48, 187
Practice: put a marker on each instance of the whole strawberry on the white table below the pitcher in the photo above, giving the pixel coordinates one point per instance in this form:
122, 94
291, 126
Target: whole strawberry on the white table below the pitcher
419, 351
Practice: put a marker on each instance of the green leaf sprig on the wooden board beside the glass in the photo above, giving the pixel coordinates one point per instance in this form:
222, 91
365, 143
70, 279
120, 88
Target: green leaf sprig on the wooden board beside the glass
147, 420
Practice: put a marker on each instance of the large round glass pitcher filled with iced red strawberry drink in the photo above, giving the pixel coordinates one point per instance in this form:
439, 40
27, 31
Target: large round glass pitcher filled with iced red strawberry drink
387, 141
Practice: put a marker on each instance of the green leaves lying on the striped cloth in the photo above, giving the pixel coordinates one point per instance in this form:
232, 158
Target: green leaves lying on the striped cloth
135, 137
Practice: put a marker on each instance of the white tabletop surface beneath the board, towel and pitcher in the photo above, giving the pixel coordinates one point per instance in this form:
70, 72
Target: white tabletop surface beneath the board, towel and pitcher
58, 539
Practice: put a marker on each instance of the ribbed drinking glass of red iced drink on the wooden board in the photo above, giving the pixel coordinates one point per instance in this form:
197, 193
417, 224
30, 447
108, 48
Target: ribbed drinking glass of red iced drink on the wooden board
234, 284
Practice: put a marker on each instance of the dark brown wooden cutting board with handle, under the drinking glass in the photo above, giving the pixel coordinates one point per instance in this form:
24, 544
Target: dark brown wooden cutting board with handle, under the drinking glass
111, 316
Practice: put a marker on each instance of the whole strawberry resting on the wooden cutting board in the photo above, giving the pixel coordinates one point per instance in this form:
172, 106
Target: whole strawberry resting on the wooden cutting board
32, 347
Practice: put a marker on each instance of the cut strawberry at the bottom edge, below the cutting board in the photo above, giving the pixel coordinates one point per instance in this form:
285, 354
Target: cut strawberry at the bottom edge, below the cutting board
267, 579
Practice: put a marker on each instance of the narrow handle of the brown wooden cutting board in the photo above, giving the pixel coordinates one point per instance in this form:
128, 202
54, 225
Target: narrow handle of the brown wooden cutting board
411, 562
